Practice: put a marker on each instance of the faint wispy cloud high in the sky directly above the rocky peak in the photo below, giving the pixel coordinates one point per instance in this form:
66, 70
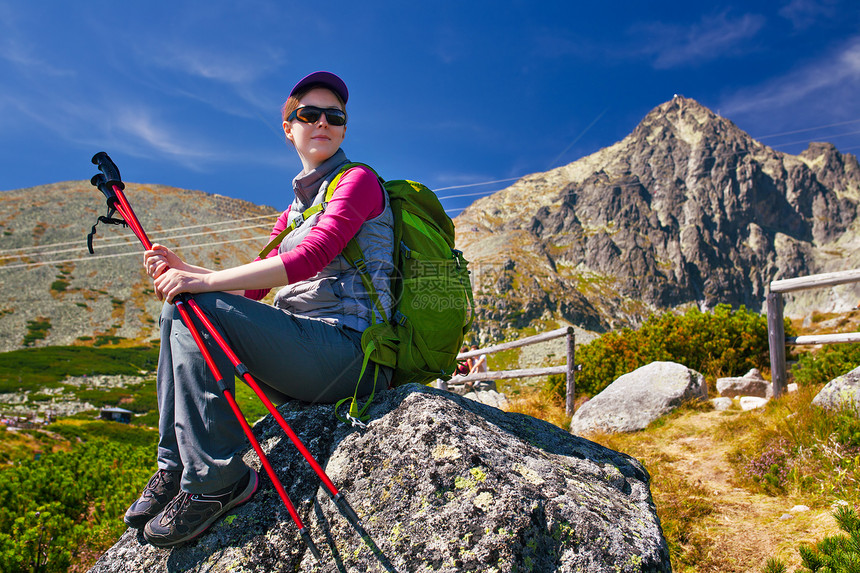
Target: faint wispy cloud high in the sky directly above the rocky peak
671, 45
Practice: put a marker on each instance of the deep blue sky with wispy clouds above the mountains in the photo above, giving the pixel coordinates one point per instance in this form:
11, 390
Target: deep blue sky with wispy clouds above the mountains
463, 96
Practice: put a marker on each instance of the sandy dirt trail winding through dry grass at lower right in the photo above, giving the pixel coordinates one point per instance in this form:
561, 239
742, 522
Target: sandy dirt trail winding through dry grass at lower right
746, 528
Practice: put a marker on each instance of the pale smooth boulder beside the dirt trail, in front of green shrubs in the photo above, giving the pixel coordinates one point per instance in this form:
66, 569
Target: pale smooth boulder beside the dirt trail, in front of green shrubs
638, 398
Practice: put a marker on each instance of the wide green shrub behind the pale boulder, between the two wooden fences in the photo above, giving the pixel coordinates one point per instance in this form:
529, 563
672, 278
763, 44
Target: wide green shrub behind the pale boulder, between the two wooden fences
723, 342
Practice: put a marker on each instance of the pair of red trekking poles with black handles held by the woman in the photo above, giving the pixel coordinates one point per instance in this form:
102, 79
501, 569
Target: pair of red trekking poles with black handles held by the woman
111, 185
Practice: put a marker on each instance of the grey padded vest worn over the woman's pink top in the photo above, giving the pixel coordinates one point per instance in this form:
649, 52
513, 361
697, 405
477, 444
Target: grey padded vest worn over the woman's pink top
336, 294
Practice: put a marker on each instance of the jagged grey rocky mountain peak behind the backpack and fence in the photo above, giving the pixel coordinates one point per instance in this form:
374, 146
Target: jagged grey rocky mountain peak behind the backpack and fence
687, 209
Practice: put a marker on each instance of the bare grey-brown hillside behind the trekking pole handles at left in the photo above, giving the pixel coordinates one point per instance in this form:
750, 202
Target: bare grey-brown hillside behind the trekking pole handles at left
53, 292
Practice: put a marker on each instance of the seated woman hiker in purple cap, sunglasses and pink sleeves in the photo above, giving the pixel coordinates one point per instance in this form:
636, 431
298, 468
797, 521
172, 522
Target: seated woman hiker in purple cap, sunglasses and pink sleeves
307, 346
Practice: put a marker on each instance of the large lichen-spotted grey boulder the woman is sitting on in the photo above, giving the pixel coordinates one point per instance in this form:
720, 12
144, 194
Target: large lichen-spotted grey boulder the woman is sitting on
441, 483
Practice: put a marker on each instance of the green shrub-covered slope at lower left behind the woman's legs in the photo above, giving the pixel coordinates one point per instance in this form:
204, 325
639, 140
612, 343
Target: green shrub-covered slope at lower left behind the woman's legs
66, 485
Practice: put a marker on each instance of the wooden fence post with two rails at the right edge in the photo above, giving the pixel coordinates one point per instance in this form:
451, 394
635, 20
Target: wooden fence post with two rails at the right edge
776, 338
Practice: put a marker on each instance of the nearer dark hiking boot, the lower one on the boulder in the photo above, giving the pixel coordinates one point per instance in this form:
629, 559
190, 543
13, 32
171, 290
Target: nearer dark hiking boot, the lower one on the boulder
189, 515
